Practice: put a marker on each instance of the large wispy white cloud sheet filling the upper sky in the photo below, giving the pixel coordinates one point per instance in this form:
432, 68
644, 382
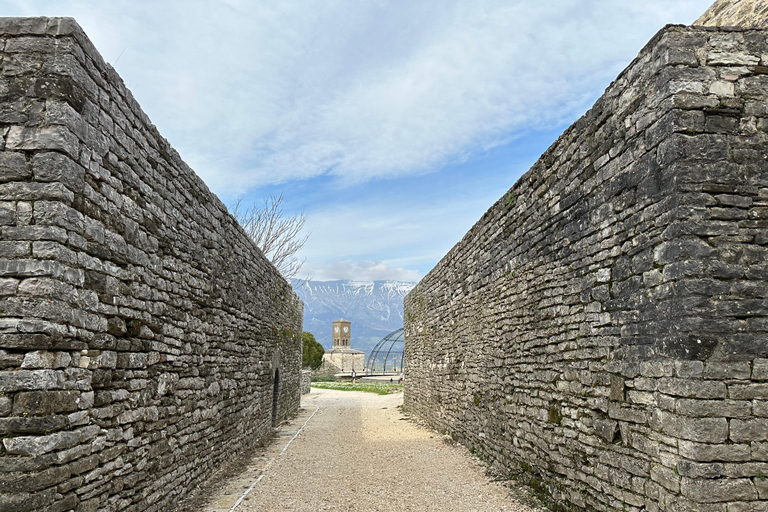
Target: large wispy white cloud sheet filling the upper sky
262, 92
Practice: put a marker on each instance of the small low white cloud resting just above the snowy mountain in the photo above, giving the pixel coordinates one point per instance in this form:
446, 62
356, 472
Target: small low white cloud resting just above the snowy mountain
357, 270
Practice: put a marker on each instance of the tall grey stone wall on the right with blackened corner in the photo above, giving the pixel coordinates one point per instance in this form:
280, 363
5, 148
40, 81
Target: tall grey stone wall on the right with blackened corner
602, 332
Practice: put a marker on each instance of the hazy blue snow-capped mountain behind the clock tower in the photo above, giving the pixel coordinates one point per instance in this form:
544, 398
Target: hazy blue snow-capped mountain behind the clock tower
375, 308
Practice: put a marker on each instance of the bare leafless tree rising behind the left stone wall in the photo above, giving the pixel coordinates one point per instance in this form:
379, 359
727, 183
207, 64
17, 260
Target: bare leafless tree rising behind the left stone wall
278, 236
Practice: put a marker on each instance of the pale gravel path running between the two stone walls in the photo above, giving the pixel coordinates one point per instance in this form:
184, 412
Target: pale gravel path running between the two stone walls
358, 452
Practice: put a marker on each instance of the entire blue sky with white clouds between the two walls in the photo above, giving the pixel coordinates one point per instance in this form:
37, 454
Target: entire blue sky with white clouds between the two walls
394, 125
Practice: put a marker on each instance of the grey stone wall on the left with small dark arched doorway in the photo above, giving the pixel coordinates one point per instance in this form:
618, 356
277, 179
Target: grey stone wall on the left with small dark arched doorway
143, 336
